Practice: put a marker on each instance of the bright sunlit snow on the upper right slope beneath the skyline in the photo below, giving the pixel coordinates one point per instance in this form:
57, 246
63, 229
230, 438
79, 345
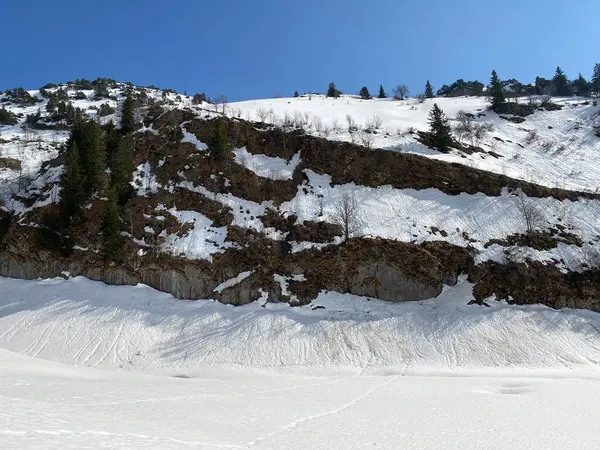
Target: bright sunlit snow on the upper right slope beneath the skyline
563, 154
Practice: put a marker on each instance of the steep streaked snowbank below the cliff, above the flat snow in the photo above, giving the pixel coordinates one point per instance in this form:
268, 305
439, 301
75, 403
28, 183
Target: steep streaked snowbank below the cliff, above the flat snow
90, 324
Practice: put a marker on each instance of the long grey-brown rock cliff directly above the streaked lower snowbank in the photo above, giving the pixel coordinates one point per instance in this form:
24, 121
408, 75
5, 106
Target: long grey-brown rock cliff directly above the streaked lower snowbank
376, 268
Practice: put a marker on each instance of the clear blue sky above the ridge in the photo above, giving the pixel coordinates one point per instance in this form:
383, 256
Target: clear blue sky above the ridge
253, 49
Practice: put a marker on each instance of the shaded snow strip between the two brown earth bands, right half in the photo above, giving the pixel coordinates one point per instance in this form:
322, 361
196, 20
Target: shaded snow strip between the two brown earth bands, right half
408, 215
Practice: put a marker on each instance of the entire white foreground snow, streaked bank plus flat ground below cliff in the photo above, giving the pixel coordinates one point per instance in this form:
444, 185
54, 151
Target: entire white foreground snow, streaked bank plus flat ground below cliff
356, 374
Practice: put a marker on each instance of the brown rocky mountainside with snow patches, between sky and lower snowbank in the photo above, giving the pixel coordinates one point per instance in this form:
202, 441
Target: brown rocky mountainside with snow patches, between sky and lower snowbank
267, 216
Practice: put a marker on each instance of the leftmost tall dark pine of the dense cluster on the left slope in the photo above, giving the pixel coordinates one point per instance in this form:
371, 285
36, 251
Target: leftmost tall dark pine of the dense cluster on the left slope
72, 194
